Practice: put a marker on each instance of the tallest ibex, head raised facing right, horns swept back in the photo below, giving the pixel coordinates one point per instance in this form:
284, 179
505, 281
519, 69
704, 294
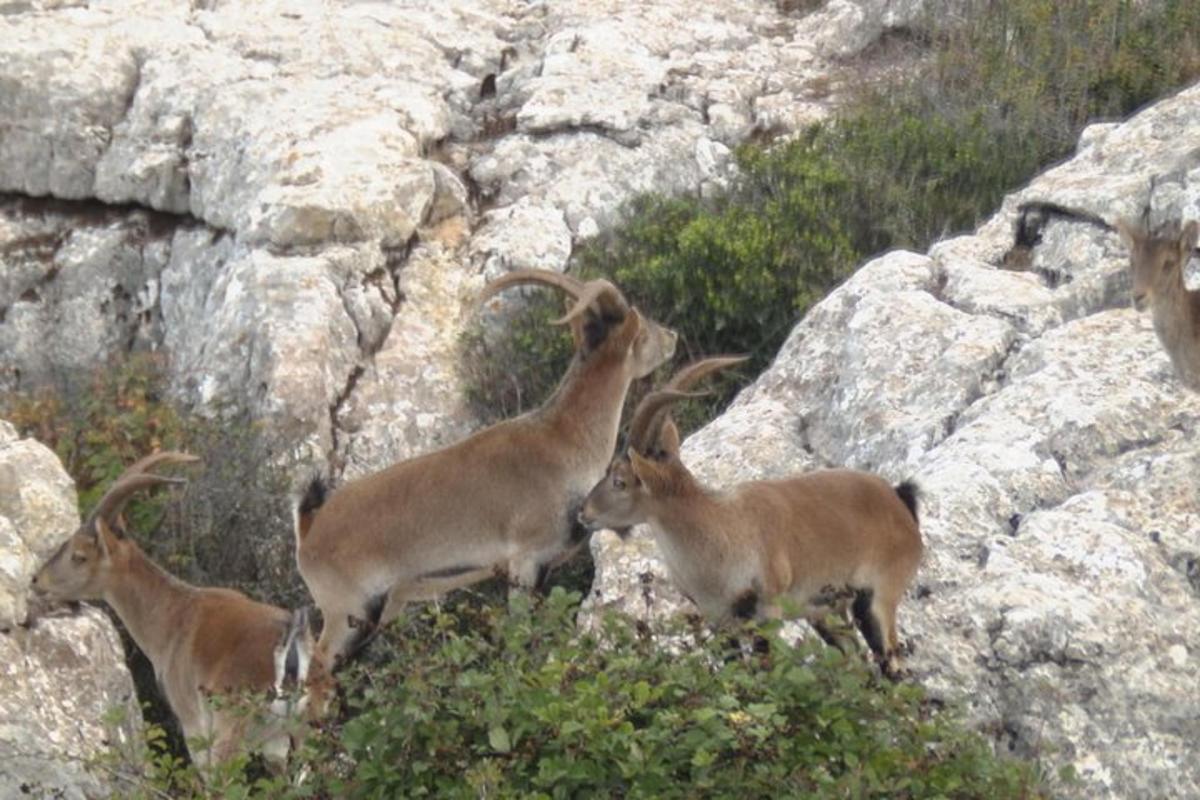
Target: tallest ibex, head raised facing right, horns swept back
502, 501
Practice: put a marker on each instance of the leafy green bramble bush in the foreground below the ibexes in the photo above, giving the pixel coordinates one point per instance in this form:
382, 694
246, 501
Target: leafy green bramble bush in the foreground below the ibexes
487, 702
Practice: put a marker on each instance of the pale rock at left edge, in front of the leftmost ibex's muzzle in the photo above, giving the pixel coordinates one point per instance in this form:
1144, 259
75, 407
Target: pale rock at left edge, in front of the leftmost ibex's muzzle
65, 693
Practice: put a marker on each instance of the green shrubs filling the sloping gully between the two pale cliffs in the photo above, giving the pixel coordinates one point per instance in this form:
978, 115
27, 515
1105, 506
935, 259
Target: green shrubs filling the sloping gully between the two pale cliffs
1005, 91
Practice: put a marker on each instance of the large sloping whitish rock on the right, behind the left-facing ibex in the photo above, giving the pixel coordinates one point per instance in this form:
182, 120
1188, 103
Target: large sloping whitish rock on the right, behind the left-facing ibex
1057, 452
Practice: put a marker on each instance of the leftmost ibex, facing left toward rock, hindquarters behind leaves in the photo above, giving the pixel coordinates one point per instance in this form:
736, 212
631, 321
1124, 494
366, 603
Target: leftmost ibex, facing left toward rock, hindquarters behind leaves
202, 642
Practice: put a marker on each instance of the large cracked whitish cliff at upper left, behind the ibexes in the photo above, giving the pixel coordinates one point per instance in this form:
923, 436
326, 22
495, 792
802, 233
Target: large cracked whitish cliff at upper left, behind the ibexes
298, 155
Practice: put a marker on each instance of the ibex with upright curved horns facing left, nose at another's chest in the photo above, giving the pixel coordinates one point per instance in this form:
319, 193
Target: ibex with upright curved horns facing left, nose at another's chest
819, 542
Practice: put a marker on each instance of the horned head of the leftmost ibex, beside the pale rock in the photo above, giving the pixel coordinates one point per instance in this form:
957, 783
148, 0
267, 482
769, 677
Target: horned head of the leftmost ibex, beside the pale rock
91, 561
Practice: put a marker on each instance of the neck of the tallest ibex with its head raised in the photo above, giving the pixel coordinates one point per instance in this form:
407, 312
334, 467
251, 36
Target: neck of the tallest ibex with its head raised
587, 405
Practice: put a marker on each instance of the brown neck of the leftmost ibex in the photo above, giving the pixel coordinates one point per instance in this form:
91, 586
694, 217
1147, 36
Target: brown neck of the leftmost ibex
149, 601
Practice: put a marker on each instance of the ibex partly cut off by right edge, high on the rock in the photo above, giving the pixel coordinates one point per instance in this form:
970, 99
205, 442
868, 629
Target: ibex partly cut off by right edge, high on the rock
1159, 260
